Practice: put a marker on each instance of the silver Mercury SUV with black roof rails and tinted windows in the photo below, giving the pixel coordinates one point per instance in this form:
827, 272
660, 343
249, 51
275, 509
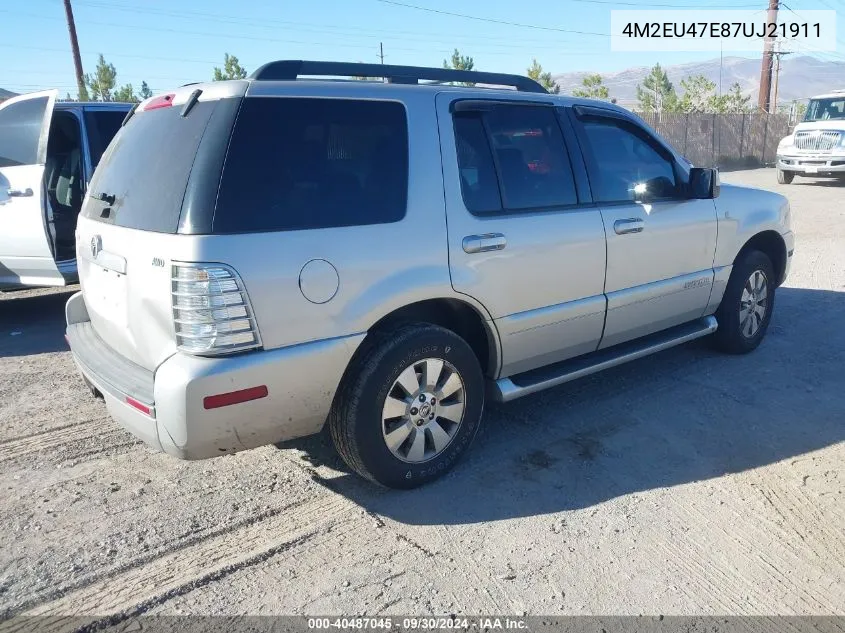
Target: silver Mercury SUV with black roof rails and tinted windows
261, 258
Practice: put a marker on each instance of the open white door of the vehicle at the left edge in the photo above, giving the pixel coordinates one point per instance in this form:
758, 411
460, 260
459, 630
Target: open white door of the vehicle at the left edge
26, 253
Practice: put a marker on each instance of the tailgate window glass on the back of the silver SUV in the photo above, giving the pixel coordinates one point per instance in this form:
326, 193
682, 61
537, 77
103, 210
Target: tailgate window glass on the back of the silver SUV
146, 169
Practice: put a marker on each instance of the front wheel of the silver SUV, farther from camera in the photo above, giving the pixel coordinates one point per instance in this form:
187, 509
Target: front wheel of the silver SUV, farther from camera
737, 335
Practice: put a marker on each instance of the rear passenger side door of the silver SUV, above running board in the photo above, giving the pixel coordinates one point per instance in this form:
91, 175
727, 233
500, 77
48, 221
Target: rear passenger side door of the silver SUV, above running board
523, 239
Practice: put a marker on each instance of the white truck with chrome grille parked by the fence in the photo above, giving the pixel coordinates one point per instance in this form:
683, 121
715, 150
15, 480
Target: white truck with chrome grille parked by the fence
817, 145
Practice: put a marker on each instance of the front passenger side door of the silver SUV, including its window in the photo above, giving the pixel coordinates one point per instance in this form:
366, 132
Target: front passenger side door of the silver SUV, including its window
660, 243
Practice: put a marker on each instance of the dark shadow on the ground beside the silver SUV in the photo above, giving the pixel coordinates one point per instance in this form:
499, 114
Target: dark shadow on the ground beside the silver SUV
685, 415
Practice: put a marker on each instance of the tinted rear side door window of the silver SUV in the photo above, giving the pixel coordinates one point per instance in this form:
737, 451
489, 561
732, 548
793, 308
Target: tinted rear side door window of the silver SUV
523, 146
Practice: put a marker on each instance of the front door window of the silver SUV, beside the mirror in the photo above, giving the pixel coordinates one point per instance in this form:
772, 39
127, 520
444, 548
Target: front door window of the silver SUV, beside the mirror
620, 156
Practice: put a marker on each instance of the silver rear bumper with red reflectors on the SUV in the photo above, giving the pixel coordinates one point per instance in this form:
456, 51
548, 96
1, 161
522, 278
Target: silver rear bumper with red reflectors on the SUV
301, 381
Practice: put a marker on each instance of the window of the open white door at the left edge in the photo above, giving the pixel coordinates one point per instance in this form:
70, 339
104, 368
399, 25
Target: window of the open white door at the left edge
20, 131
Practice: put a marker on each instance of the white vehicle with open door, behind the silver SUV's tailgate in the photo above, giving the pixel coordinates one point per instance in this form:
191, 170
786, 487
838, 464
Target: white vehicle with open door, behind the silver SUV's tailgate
48, 152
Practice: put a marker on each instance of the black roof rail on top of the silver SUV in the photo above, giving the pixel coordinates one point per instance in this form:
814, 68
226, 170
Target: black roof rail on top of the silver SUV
290, 70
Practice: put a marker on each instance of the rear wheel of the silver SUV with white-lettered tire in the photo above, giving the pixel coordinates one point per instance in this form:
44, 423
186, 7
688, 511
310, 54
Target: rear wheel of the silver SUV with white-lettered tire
360, 419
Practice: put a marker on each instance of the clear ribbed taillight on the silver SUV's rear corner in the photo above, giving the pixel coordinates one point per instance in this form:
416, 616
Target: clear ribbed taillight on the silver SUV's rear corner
211, 310
